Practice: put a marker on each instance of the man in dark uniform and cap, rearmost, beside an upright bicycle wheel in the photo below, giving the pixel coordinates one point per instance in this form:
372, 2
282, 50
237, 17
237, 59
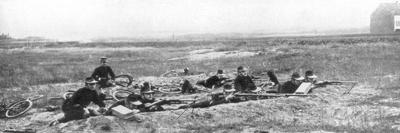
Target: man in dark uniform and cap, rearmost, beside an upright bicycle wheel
103, 73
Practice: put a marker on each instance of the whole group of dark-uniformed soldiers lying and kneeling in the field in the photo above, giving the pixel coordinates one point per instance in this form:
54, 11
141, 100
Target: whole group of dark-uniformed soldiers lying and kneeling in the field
74, 107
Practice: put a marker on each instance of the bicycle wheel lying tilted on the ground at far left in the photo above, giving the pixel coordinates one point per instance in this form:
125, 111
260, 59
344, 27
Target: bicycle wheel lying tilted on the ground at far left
18, 108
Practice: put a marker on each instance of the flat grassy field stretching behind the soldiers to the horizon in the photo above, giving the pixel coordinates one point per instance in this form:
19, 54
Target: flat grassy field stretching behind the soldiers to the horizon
41, 63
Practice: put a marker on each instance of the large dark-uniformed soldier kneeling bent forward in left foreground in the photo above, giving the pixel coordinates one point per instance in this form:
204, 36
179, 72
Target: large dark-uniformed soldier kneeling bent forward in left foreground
73, 107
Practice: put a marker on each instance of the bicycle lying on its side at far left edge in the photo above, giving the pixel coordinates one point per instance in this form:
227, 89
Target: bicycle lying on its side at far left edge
20, 107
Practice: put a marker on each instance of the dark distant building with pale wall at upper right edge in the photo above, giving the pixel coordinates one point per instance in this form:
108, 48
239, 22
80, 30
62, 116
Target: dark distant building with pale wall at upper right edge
386, 19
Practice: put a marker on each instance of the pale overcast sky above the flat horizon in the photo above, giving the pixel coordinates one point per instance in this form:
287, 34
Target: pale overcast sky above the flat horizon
84, 19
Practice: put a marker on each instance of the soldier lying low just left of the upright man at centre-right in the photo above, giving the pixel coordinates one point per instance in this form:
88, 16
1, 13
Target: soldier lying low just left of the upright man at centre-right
215, 81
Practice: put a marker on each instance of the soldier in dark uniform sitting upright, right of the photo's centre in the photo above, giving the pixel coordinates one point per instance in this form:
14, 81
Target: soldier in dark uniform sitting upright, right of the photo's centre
243, 82
